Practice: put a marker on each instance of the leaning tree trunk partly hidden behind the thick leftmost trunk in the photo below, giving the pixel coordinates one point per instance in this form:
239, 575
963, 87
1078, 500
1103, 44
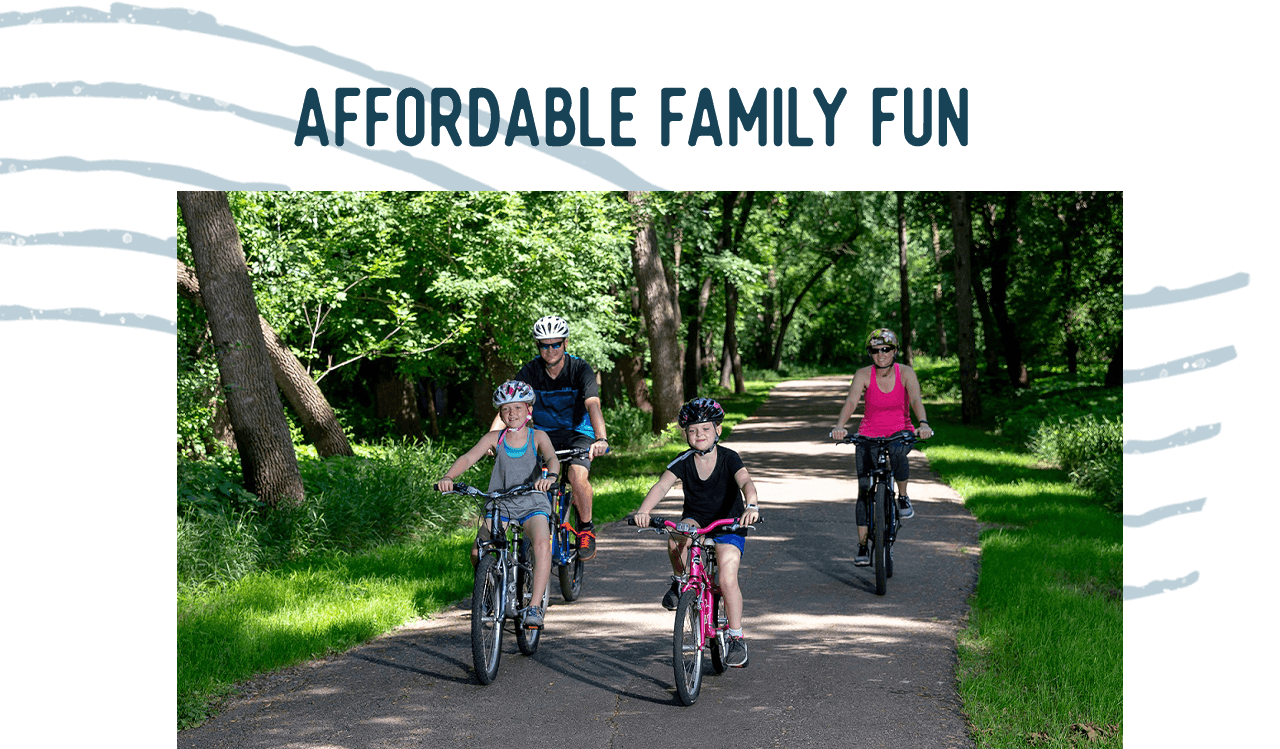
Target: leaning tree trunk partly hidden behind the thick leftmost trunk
319, 423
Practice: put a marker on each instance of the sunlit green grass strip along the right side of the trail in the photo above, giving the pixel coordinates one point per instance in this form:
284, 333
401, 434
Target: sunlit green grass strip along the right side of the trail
1043, 655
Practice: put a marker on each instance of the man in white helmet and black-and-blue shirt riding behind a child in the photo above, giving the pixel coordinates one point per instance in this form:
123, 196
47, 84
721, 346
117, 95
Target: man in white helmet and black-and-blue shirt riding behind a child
569, 412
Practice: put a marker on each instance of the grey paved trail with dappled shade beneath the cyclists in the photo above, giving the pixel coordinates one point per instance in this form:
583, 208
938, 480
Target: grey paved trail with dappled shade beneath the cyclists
831, 664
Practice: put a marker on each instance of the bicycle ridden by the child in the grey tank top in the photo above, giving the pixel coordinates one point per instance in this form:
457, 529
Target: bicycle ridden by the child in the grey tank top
504, 587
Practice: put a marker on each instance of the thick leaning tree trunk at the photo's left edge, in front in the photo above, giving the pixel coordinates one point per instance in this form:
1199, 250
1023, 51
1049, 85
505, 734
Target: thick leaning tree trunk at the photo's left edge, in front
267, 454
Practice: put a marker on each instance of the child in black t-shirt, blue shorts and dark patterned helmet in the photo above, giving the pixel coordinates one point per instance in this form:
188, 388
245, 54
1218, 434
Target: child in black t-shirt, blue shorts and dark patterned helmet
715, 483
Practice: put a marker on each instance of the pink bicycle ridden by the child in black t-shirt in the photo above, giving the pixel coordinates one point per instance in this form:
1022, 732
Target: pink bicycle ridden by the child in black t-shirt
701, 619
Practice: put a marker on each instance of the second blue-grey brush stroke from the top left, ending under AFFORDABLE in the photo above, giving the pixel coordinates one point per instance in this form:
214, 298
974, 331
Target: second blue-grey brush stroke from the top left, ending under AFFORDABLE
427, 170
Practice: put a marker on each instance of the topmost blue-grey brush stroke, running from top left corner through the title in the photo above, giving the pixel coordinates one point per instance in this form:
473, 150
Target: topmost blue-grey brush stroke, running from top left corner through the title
199, 22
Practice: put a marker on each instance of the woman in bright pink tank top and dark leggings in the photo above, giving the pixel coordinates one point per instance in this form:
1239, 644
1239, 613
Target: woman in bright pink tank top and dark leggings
892, 391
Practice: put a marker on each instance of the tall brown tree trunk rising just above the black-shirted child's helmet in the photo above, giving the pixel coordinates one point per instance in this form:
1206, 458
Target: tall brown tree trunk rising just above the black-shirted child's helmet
660, 317
